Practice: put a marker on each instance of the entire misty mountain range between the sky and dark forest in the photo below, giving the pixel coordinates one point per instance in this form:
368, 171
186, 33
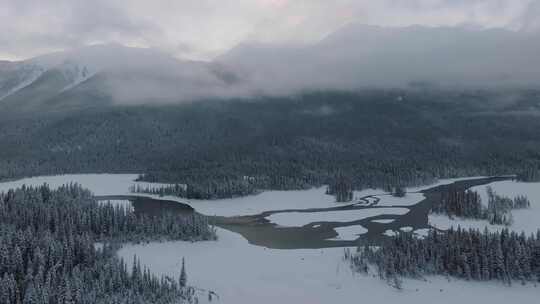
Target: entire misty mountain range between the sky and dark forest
354, 57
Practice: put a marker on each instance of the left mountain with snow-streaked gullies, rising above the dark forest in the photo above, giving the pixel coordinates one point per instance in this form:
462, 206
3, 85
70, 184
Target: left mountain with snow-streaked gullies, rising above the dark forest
109, 74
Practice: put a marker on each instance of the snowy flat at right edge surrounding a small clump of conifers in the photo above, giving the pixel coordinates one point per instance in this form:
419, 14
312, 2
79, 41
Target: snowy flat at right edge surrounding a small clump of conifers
527, 220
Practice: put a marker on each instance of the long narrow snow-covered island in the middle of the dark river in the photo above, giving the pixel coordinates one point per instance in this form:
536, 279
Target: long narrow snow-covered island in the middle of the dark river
298, 219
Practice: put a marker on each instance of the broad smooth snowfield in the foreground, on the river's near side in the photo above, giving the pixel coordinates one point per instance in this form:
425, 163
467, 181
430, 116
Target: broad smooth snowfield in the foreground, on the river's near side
243, 273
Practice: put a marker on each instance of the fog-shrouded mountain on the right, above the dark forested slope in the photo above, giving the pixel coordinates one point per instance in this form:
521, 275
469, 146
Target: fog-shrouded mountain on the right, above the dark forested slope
358, 56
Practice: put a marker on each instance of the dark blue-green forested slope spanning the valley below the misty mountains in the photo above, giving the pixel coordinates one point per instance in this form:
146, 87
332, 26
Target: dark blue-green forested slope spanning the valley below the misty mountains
379, 138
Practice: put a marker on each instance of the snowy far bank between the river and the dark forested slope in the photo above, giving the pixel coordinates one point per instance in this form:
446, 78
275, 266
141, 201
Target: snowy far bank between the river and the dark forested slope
121, 184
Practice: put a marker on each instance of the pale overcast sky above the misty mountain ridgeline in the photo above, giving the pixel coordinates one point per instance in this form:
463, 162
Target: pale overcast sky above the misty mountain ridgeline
202, 29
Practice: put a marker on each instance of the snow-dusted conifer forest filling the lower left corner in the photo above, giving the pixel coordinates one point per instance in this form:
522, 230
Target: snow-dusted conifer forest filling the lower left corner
48, 252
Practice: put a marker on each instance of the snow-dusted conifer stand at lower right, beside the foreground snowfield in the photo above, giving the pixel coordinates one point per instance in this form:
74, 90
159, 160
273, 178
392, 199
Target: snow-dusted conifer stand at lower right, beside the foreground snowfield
466, 254
